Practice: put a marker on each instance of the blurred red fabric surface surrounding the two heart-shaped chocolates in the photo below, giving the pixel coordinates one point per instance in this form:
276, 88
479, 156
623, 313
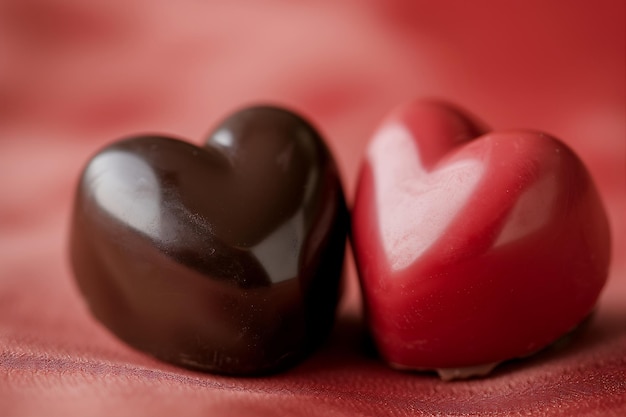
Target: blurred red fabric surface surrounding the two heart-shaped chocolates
75, 75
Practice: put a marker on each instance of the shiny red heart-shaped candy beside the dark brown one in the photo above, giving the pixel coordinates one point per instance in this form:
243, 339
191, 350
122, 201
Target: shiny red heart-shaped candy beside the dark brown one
473, 247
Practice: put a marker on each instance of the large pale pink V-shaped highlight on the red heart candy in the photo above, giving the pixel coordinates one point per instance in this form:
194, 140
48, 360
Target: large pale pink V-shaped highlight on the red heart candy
415, 207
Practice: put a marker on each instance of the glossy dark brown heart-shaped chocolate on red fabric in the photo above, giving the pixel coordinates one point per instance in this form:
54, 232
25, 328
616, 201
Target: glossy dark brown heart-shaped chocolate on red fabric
225, 258
